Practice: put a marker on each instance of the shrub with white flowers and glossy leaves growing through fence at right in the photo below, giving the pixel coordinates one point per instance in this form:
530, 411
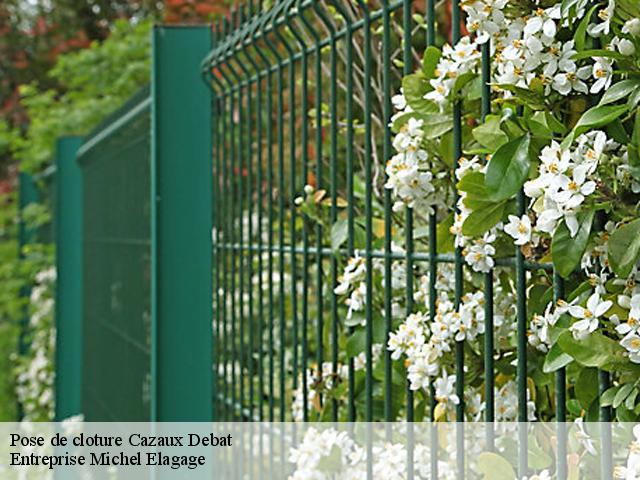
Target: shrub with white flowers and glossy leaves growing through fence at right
552, 172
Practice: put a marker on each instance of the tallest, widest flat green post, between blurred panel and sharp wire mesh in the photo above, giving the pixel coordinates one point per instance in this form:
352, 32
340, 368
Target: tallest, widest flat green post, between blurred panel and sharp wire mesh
181, 246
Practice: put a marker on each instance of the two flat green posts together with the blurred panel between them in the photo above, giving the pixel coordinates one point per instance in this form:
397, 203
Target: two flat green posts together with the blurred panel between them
133, 234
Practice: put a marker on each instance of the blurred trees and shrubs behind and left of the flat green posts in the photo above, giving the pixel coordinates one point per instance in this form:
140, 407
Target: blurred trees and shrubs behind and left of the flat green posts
64, 66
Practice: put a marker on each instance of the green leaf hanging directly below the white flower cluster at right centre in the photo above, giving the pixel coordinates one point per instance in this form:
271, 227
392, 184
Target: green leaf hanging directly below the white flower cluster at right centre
566, 252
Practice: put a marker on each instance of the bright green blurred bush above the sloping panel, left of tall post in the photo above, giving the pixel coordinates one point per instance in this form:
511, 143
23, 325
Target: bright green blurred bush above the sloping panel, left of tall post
95, 81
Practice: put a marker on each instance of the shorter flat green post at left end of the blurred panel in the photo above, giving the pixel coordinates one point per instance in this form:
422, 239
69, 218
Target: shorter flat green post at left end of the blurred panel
68, 310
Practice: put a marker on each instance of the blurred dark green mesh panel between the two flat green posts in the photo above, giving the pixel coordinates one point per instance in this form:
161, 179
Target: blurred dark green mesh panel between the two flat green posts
115, 163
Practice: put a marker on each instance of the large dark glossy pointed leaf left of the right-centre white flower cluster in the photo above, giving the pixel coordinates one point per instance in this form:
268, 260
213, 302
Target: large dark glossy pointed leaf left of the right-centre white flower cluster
508, 169
